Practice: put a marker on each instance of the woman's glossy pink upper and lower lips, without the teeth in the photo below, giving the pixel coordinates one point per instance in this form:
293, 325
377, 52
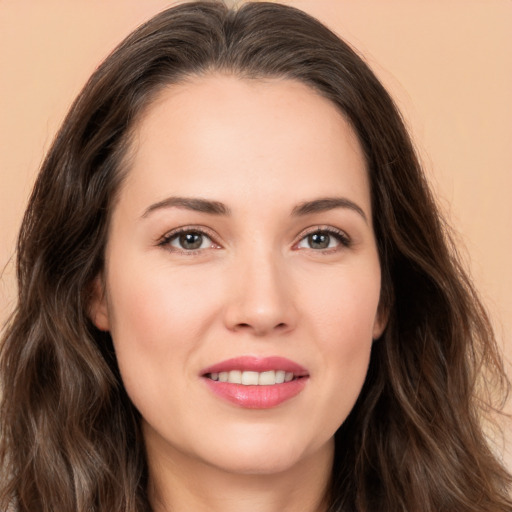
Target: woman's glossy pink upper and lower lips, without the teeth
257, 397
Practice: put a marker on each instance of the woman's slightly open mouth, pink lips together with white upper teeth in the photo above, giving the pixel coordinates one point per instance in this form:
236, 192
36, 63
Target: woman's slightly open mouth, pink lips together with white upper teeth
255, 382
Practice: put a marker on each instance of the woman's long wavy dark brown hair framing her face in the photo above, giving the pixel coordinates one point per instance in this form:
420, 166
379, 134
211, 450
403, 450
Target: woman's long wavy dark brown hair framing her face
70, 438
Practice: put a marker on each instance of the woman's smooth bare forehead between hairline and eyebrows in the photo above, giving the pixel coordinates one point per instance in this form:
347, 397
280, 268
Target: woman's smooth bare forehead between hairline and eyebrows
224, 136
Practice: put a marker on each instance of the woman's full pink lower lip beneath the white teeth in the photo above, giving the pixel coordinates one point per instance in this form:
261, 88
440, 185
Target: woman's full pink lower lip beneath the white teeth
257, 397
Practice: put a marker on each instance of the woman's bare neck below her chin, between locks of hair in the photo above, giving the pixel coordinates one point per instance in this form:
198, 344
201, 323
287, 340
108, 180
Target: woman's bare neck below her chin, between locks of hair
179, 484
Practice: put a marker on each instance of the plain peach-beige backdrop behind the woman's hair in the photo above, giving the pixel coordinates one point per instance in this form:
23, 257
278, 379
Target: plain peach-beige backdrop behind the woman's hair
448, 63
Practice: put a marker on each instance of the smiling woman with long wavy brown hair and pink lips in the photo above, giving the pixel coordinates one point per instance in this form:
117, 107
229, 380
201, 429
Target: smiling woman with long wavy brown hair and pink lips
235, 291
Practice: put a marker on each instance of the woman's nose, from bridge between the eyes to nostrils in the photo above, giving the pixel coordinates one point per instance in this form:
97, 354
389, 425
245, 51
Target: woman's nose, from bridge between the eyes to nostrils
261, 296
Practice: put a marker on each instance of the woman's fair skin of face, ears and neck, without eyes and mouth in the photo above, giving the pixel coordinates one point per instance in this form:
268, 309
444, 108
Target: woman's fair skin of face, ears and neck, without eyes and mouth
257, 286
